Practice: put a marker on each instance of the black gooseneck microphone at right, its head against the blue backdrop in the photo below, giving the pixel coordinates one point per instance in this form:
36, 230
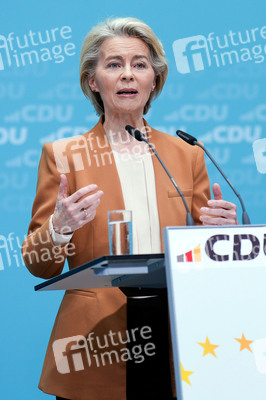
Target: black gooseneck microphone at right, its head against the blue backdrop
193, 141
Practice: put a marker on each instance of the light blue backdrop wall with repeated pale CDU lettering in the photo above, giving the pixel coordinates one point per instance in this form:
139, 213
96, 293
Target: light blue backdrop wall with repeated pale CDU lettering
217, 94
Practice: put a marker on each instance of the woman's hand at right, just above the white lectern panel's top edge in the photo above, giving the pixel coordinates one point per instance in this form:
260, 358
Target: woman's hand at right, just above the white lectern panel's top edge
219, 211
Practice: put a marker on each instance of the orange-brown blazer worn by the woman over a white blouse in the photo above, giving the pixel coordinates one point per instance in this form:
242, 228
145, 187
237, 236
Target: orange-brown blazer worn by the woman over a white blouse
88, 159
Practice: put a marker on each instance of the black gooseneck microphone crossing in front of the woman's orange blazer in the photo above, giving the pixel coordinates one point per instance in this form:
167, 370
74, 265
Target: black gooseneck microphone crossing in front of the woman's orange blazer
141, 138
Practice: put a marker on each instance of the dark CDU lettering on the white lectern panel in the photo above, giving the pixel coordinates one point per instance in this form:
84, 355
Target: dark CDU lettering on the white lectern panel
240, 247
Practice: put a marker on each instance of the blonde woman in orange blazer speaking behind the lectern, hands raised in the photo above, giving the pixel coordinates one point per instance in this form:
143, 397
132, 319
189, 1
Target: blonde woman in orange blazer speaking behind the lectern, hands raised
122, 69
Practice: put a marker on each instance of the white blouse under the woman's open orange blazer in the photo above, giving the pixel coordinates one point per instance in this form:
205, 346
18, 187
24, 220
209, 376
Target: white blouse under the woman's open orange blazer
137, 179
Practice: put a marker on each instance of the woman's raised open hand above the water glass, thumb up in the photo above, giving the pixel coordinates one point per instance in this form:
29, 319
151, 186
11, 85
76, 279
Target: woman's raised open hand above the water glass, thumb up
71, 214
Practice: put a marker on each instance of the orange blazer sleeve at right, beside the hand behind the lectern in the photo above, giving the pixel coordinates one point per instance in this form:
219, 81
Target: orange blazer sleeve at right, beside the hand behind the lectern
201, 185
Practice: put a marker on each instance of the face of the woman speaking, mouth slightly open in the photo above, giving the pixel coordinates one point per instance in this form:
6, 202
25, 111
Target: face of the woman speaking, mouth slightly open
124, 76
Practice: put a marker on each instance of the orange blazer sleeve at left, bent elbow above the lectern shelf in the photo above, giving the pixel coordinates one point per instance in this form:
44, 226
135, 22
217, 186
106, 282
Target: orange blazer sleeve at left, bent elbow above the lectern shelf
41, 256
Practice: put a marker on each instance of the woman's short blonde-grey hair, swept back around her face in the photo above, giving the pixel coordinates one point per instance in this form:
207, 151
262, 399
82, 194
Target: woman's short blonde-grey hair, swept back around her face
129, 27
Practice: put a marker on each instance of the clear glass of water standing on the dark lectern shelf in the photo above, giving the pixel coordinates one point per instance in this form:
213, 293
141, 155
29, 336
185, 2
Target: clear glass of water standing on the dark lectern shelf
120, 232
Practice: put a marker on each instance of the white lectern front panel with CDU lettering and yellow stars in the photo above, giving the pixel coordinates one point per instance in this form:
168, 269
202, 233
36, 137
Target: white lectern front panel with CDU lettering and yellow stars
216, 279
